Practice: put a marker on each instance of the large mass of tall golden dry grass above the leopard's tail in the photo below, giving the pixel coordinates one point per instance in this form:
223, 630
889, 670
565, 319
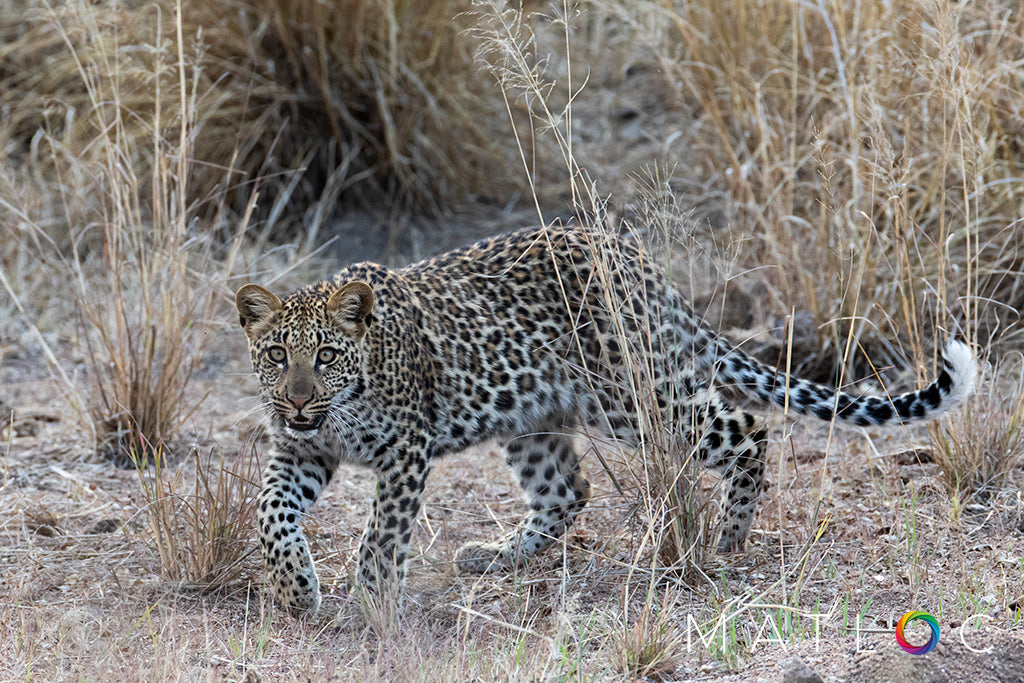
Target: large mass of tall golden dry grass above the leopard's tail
868, 153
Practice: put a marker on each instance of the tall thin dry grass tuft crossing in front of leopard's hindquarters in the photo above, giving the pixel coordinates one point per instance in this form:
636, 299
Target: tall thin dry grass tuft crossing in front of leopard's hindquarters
674, 508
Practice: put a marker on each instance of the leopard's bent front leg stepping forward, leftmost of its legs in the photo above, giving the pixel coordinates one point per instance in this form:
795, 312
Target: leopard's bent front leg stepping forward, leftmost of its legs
290, 487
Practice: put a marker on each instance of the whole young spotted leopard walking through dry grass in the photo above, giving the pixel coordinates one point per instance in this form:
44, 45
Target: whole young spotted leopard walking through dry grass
525, 338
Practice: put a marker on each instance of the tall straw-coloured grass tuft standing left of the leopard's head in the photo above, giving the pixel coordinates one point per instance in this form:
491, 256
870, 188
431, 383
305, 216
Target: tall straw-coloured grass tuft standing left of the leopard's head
118, 228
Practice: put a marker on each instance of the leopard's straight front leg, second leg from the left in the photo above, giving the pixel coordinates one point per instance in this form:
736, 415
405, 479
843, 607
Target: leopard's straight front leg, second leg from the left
386, 542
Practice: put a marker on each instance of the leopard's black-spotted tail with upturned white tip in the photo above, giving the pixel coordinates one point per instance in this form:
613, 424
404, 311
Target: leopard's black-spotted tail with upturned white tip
761, 382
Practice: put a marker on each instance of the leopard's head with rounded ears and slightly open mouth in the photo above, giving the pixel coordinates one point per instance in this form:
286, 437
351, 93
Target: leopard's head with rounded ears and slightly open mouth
307, 350
